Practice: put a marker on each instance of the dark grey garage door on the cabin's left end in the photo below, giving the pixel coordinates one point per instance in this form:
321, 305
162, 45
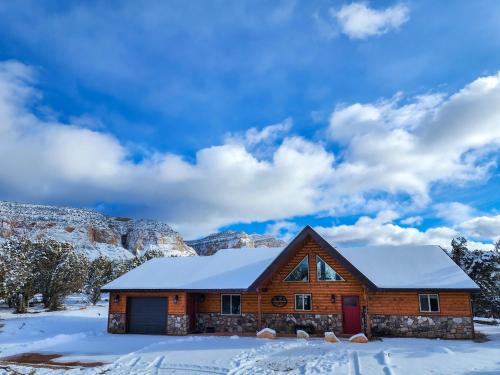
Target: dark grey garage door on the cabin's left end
147, 315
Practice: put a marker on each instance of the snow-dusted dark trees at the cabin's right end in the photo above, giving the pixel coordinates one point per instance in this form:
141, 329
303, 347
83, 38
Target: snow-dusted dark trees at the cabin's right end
484, 268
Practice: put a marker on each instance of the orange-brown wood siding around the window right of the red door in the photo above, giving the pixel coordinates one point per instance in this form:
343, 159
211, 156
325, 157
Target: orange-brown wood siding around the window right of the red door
406, 303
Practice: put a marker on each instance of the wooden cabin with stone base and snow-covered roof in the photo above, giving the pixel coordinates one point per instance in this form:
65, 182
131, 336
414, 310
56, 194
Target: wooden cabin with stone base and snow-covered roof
406, 291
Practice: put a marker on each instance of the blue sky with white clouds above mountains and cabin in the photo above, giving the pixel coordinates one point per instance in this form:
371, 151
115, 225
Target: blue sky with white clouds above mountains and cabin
375, 122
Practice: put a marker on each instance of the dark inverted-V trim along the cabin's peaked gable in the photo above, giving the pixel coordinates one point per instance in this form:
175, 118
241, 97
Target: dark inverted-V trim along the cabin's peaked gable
285, 256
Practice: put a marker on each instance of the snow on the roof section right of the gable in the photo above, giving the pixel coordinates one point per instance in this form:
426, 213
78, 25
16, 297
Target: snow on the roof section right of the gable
412, 267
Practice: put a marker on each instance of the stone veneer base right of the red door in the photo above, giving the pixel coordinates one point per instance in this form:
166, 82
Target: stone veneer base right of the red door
422, 326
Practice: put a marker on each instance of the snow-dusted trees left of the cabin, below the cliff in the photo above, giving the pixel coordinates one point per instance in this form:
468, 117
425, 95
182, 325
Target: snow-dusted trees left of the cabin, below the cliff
55, 270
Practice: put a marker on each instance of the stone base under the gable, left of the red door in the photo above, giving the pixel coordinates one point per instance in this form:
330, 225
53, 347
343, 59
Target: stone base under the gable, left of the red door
311, 323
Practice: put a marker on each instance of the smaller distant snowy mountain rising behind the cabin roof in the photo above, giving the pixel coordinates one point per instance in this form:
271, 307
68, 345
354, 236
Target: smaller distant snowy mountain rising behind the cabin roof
230, 239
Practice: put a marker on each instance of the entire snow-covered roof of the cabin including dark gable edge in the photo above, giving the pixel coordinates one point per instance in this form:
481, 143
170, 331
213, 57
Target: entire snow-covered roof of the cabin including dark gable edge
382, 267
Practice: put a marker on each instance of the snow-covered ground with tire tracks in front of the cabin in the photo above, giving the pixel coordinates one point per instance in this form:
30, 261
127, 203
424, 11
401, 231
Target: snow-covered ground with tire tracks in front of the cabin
80, 335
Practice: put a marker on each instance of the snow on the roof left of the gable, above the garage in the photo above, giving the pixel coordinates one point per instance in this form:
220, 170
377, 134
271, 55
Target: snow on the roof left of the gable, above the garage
227, 269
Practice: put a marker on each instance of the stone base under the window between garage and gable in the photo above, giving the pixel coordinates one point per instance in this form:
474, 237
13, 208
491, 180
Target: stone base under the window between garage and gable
215, 322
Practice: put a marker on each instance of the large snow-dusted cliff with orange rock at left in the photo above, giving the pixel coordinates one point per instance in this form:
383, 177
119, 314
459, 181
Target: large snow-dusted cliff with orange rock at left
91, 232
